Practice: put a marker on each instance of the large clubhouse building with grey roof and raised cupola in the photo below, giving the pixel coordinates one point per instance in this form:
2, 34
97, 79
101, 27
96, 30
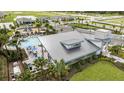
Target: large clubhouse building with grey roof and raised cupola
70, 46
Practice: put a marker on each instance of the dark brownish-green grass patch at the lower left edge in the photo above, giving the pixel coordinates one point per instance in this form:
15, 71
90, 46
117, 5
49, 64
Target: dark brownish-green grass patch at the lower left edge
3, 68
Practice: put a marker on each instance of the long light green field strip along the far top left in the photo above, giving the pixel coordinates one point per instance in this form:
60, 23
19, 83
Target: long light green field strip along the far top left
12, 14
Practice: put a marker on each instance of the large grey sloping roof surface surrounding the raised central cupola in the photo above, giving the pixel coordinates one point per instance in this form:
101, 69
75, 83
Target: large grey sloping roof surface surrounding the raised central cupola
58, 52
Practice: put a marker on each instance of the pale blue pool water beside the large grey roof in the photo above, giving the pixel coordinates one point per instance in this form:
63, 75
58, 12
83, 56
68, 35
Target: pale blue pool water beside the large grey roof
32, 41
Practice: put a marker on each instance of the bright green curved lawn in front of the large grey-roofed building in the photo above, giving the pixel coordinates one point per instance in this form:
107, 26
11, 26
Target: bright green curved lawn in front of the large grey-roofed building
100, 71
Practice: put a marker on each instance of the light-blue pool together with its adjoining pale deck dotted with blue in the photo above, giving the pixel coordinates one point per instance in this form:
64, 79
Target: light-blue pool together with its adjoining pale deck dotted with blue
33, 50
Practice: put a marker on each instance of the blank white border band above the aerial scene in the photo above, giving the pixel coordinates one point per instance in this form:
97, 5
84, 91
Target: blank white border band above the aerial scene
63, 5
